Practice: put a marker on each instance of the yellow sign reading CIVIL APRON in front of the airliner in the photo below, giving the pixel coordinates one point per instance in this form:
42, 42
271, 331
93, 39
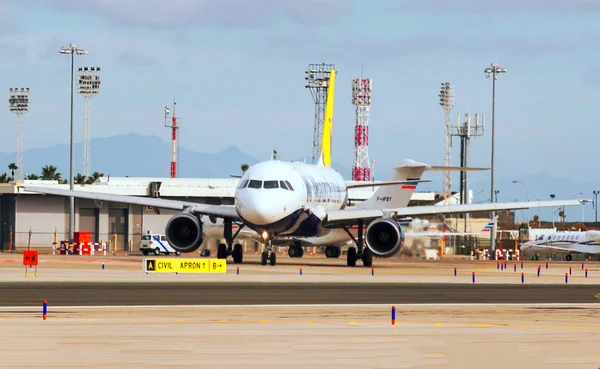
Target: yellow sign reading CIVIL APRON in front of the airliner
164, 265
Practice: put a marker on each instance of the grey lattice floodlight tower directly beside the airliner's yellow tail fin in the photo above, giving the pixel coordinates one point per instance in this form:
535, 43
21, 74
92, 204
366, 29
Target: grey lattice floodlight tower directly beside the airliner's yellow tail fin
317, 81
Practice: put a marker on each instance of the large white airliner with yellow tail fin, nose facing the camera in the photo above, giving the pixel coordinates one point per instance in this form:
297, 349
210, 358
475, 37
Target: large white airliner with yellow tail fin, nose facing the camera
278, 198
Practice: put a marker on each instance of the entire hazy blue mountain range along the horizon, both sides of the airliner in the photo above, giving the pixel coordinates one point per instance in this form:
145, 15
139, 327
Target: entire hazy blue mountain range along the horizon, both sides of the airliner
137, 155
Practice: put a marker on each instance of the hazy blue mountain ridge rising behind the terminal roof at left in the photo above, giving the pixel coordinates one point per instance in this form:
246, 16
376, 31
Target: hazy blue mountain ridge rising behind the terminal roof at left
136, 155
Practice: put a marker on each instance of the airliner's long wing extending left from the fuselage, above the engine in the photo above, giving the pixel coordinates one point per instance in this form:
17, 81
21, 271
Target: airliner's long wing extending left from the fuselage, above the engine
222, 211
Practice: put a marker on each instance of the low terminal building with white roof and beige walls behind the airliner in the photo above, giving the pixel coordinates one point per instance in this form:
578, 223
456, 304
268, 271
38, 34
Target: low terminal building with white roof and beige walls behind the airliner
36, 220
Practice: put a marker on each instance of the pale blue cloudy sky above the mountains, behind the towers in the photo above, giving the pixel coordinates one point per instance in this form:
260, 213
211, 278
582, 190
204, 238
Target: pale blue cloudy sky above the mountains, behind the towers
236, 69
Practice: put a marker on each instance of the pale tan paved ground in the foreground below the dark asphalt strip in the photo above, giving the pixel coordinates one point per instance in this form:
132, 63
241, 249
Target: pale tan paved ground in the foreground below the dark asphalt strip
424, 336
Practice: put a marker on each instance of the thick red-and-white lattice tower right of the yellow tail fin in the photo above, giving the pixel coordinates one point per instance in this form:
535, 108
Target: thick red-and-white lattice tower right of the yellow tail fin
361, 98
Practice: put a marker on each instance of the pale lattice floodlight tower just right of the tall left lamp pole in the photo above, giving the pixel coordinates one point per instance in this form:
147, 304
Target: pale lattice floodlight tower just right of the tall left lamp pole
88, 87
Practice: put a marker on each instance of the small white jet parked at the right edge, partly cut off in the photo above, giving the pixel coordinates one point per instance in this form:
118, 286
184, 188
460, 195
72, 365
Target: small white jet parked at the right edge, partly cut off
587, 243
